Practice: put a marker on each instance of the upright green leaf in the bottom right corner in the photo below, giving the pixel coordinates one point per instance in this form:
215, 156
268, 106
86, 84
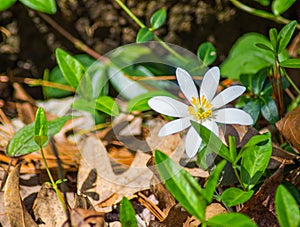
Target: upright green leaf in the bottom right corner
287, 209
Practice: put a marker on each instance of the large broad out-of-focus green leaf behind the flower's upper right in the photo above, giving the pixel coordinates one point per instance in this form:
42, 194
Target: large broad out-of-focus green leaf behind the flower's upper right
246, 58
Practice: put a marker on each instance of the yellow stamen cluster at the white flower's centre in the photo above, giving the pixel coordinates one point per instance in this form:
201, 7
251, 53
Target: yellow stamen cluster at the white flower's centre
200, 109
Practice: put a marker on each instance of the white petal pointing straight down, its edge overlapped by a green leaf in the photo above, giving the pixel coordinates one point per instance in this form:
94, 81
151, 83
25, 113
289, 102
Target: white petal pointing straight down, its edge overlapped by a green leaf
192, 142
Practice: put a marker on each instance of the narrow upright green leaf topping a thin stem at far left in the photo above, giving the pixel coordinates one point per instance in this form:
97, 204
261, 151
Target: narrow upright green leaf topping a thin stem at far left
40, 128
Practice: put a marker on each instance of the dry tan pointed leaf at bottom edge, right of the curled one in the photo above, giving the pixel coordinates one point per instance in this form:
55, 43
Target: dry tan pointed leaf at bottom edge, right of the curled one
47, 207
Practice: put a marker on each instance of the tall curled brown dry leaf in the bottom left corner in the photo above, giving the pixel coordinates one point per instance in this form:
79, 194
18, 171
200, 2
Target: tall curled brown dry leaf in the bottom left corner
17, 214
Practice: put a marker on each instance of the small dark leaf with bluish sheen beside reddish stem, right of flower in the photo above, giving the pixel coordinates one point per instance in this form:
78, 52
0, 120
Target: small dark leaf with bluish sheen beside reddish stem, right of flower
269, 109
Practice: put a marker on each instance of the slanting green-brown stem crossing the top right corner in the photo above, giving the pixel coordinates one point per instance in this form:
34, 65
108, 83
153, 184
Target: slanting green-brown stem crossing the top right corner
261, 13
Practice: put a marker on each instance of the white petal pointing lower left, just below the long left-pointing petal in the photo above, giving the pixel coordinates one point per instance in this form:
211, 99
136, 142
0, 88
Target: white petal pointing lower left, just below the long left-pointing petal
175, 126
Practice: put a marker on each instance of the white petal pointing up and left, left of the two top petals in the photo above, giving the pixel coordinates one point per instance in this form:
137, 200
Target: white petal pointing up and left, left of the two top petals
186, 84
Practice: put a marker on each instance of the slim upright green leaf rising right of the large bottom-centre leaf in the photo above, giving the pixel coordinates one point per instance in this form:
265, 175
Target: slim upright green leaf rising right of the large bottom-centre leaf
212, 182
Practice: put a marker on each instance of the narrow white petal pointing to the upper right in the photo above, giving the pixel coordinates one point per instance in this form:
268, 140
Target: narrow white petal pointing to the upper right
227, 96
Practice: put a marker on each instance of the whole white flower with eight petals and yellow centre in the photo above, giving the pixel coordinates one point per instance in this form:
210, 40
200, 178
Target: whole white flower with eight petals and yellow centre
204, 107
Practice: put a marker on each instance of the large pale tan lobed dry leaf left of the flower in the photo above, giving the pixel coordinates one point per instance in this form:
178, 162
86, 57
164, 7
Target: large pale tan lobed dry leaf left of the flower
95, 158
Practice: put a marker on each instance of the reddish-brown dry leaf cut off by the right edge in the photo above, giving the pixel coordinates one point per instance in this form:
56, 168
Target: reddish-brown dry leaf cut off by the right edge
289, 127
